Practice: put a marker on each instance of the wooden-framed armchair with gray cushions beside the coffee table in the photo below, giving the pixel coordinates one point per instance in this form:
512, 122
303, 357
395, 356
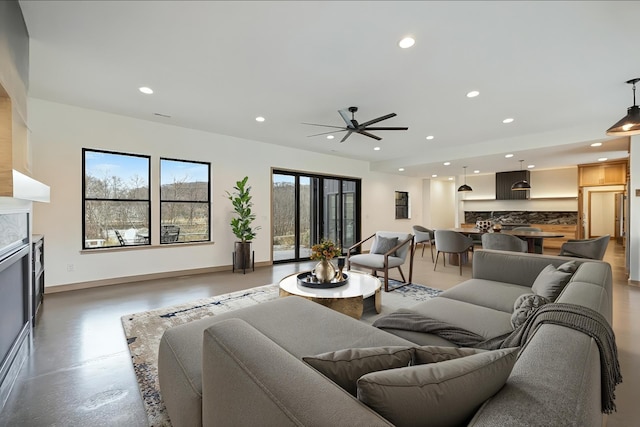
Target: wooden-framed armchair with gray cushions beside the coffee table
388, 250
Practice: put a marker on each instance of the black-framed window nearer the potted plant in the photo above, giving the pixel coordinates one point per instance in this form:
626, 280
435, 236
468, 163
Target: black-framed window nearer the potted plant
184, 201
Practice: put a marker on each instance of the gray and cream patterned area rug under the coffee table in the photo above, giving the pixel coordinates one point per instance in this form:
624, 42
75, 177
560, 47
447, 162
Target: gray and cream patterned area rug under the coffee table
144, 330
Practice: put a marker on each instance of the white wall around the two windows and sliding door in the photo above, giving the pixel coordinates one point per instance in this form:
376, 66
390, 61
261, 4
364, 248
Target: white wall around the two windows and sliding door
59, 132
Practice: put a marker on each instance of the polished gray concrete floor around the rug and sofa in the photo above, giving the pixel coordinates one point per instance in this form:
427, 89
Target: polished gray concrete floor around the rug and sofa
80, 374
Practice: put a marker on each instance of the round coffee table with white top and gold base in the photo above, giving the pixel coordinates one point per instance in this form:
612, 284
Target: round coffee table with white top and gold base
347, 299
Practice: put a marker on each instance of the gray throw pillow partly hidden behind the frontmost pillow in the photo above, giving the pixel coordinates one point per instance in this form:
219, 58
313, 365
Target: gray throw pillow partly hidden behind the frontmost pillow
344, 367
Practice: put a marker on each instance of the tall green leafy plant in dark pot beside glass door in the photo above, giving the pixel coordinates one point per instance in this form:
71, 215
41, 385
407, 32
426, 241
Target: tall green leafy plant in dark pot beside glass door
241, 223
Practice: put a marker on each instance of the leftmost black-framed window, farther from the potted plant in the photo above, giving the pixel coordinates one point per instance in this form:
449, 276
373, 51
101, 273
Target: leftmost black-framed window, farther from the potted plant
115, 198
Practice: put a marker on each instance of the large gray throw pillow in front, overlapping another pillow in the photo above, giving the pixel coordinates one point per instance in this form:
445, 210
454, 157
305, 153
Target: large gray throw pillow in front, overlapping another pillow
440, 394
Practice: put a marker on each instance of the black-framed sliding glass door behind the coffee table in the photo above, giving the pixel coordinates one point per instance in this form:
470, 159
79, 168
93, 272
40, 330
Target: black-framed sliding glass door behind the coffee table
308, 208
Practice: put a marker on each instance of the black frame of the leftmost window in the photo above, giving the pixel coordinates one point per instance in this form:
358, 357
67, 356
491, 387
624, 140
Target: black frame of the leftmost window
85, 199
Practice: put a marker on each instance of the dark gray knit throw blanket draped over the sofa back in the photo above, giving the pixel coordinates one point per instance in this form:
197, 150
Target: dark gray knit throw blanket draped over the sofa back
573, 316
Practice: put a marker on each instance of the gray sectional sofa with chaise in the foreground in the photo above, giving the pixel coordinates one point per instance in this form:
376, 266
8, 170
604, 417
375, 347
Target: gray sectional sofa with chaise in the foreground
246, 367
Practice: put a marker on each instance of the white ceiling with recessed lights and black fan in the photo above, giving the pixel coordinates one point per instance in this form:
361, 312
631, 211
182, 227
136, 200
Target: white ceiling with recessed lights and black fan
558, 68
